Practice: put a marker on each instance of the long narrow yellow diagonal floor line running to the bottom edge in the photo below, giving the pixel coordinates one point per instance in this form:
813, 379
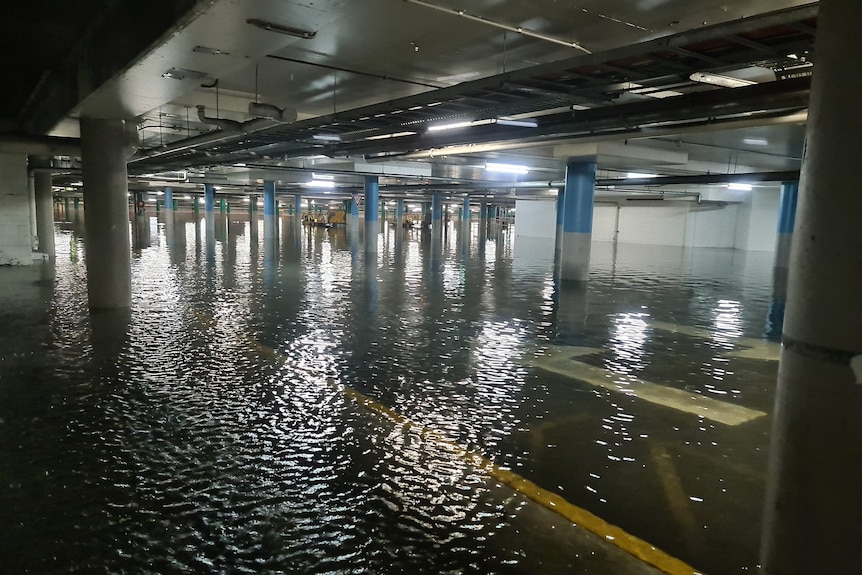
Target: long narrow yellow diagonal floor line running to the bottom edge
639, 548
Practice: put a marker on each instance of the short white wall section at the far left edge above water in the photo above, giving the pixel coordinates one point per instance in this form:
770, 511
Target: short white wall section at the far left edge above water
16, 237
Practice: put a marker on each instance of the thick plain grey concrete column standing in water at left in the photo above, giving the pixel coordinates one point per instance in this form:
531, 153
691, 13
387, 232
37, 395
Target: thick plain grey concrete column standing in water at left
104, 154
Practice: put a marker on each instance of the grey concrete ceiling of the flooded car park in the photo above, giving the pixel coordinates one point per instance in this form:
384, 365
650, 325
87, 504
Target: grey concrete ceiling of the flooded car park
361, 53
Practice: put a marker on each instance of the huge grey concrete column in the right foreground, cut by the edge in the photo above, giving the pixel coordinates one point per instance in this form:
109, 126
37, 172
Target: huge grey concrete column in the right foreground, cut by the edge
813, 506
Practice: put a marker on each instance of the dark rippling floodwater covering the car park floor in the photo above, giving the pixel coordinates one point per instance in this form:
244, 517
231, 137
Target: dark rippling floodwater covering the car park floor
214, 427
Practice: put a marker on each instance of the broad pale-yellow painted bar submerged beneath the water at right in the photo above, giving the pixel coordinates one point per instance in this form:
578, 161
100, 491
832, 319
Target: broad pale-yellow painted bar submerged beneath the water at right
707, 407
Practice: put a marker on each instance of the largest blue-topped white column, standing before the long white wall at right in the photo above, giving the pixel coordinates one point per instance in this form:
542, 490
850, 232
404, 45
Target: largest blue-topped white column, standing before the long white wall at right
578, 220
